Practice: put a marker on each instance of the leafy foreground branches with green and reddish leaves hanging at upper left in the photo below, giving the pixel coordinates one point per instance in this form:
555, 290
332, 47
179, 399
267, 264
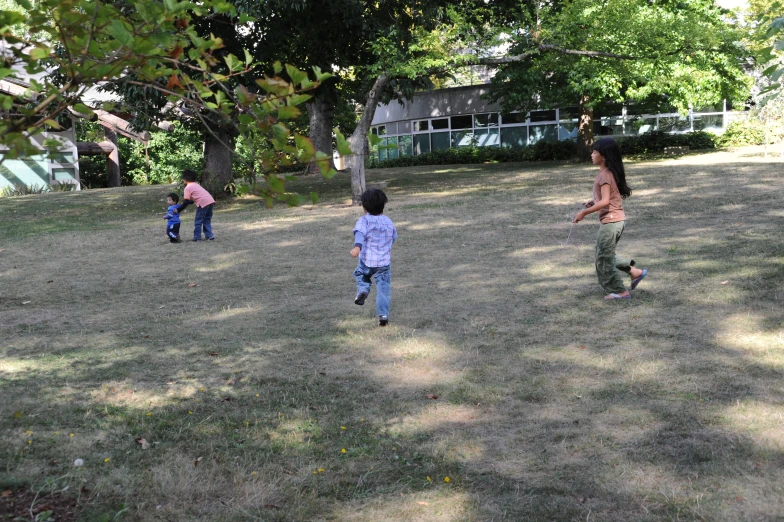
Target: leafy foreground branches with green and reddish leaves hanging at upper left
69, 46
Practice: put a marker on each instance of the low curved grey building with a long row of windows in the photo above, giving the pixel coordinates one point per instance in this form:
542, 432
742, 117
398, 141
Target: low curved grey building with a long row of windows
459, 116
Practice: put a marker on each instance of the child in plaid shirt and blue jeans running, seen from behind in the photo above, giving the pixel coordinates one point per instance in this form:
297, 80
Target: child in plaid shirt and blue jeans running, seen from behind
374, 234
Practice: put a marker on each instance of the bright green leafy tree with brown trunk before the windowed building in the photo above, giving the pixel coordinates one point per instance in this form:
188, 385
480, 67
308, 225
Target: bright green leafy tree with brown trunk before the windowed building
583, 52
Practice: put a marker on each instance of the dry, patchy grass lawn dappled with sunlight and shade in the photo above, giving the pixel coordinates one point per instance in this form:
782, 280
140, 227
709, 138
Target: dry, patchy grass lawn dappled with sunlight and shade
264, 393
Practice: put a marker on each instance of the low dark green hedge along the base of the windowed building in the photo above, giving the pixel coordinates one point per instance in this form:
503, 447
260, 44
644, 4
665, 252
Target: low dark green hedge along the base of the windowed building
651, 142
